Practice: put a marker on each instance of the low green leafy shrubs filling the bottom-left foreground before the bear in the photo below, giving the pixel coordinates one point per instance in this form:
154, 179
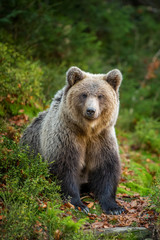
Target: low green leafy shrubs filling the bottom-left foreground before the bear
27, 193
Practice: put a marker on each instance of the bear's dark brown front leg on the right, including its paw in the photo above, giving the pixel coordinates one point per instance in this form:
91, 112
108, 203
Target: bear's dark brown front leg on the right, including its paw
103, 181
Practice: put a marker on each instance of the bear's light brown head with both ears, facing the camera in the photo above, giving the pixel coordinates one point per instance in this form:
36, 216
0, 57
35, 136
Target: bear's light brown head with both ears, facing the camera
92, 99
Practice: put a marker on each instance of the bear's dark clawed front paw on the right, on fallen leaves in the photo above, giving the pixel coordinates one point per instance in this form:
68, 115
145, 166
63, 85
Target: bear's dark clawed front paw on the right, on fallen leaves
112, 208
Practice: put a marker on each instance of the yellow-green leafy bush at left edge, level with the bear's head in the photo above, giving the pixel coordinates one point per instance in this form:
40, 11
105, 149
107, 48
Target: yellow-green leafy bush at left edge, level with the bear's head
20, 82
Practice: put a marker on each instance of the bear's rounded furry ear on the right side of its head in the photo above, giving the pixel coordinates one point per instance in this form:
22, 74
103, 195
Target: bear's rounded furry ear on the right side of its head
114, 78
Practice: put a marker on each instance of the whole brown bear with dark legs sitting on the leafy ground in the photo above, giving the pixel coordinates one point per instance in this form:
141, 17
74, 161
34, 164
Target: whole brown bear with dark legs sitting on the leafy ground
76, 136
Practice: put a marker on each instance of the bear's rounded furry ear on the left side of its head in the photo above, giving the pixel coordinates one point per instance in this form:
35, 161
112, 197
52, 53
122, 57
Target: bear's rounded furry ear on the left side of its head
74, 74
